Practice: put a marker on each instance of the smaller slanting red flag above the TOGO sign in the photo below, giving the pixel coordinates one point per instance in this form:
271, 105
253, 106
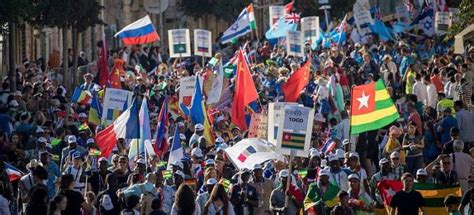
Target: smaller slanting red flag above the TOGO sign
297, 82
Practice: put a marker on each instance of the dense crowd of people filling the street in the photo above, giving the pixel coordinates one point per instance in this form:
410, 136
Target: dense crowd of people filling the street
43, 136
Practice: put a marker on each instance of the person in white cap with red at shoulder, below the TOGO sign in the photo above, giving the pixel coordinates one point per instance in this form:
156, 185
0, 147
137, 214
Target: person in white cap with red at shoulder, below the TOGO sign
277, 198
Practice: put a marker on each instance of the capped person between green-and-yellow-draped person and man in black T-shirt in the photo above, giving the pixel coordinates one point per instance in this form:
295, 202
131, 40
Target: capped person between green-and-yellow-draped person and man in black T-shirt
359, 200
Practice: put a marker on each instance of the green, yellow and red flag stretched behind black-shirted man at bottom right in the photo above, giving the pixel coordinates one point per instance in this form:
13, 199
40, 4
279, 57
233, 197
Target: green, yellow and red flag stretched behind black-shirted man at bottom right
434, 195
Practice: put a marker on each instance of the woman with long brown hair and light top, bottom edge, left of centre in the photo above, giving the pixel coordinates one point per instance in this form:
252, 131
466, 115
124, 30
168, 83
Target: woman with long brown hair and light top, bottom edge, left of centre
218, 203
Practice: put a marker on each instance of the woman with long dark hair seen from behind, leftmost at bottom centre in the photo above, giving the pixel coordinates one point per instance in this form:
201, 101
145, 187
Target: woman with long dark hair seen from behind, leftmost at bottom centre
184, 202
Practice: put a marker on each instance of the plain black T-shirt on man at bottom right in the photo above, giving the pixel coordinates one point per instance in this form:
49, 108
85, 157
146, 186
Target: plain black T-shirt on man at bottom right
407, 203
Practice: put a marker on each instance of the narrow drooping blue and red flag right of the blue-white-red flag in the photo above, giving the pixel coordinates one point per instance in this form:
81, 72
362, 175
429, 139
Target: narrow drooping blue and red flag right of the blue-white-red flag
161, 146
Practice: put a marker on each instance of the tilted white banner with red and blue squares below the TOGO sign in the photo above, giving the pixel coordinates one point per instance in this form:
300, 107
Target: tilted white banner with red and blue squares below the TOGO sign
248, 152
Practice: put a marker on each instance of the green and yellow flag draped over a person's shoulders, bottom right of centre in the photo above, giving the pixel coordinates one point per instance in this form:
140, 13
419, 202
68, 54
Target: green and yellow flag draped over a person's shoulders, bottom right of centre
313, 197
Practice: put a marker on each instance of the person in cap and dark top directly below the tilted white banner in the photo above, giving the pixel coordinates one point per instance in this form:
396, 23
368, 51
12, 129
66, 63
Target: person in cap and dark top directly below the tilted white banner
244, 196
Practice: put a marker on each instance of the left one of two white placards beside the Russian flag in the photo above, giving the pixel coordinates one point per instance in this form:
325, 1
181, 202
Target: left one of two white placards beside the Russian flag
179, 43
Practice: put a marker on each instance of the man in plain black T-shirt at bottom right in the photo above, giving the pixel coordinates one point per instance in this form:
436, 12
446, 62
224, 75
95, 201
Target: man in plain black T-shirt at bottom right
407, 201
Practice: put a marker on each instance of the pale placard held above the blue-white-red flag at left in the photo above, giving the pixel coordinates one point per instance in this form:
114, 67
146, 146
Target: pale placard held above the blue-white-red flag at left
115, 102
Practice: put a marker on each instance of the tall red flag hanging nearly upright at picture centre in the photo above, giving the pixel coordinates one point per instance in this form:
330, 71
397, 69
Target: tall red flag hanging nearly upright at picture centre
245, 92
